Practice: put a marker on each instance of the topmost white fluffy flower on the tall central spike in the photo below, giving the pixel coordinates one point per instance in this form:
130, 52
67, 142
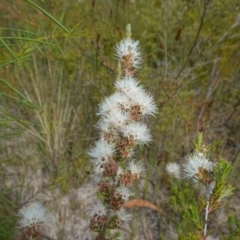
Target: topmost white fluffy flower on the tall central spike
129, 47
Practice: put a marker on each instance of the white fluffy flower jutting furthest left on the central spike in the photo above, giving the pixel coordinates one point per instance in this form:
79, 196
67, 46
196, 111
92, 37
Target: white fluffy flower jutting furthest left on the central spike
101, 152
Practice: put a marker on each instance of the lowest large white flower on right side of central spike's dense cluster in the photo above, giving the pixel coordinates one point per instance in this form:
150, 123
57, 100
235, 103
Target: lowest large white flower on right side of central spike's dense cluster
138, 132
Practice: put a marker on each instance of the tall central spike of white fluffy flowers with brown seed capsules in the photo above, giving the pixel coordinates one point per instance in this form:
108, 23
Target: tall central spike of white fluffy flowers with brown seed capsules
122, 129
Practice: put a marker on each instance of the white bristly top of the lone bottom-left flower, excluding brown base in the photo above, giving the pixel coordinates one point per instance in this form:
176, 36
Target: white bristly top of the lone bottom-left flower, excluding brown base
34, 214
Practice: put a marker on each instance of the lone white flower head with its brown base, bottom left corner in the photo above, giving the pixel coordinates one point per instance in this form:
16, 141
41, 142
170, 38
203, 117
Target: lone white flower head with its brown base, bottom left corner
33, 218
